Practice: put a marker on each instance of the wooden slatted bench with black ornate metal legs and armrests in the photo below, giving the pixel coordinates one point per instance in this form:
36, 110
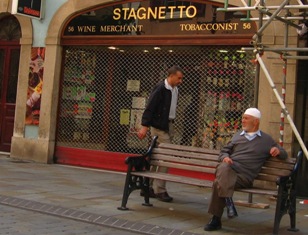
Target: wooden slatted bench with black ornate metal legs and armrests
277, 177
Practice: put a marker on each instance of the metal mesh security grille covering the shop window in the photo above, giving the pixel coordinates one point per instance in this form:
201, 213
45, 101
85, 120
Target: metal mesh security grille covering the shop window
104, 92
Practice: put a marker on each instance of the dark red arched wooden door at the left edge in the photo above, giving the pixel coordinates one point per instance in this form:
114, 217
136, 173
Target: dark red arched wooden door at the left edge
10, 33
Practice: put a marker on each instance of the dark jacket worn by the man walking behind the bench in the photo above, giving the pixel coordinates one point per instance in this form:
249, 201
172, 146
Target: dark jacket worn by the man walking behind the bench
156, 113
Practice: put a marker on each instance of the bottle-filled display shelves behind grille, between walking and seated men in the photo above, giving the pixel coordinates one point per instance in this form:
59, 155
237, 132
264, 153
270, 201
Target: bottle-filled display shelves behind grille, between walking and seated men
224, 95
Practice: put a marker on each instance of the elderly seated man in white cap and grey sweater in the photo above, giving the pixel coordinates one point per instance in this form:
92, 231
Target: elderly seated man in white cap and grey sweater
240, 162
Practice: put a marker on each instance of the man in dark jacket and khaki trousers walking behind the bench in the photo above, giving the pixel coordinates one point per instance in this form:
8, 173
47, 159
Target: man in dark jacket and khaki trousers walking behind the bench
159, 115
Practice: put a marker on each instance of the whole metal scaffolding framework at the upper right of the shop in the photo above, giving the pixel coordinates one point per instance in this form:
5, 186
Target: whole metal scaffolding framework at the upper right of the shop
259, 48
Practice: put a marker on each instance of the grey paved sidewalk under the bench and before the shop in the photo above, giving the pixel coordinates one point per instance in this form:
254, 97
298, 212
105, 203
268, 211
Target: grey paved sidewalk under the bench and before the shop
92, 196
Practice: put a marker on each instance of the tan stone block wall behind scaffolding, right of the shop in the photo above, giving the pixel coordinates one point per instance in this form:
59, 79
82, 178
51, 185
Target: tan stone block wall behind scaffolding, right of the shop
274, 36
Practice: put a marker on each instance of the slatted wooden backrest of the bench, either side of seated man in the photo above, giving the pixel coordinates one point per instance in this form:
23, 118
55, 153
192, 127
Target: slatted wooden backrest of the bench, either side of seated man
206, 160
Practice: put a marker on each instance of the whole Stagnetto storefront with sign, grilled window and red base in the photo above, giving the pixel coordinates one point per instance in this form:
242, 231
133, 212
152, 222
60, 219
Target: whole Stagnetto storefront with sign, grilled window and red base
114, 54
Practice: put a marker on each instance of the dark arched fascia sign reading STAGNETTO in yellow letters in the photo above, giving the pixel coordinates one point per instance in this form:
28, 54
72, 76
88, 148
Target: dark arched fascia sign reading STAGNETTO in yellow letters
142, 18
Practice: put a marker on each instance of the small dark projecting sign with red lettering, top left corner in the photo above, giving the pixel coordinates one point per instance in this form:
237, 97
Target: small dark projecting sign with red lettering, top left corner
30, 8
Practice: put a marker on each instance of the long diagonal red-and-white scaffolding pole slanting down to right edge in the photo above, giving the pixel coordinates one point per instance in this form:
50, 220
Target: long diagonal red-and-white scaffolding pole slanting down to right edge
284, 108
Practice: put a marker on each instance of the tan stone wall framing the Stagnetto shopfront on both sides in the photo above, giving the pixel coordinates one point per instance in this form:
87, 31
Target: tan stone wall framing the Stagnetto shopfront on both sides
41, 147
